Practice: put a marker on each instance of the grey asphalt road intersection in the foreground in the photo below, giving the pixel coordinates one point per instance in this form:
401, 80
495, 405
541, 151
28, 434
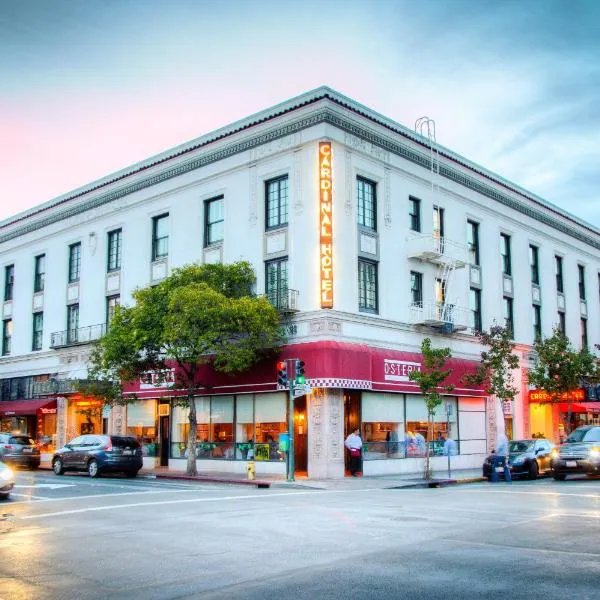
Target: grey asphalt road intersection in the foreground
72, 537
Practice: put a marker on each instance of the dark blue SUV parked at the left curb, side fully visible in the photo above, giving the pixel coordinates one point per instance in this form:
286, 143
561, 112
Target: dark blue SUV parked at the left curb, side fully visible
98, 454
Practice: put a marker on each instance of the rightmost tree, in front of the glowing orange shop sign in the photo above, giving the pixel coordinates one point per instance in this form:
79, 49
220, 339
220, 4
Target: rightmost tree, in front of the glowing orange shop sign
560, 368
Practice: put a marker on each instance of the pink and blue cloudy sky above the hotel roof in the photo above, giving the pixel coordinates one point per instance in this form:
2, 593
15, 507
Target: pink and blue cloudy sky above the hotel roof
88, 87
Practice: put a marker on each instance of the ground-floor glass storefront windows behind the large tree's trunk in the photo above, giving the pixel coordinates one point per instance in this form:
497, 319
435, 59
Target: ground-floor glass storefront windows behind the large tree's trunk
232, 427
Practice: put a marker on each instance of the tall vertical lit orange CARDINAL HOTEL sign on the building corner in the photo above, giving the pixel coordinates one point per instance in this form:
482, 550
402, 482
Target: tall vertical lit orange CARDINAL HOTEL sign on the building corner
326, 225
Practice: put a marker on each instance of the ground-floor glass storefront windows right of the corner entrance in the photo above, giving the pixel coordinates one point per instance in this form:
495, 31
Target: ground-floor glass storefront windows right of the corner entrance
394, 426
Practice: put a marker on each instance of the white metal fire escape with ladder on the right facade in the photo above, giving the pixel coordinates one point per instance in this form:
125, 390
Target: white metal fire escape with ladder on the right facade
437, 249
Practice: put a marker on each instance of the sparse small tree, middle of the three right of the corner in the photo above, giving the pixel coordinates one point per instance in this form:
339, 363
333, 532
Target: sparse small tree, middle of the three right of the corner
497, 364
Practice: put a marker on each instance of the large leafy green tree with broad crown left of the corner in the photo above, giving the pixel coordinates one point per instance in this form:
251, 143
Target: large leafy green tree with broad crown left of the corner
201, 314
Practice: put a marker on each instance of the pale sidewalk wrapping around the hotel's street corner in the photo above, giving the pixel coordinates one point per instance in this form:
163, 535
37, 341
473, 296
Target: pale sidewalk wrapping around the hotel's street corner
412, 480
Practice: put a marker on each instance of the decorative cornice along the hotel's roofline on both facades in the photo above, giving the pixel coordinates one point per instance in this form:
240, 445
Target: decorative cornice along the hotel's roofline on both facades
329, 114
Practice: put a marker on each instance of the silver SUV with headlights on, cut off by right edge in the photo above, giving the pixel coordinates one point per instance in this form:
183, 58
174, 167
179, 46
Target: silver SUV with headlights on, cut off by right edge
580, 453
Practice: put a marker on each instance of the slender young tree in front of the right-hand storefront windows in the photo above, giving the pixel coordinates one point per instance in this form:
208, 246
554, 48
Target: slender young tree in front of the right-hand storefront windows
431, 379
